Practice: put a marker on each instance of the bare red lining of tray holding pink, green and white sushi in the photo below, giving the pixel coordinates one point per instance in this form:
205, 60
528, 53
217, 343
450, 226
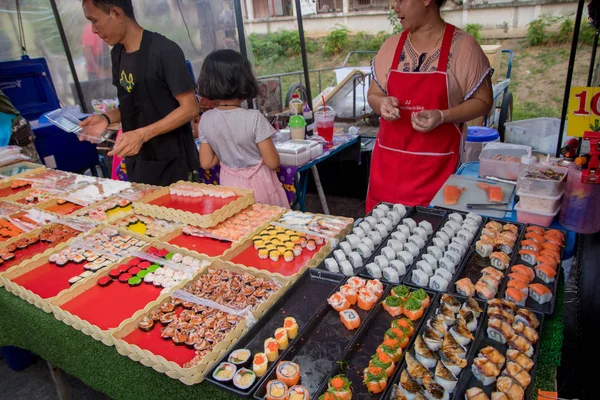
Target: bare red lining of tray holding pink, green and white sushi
106, 307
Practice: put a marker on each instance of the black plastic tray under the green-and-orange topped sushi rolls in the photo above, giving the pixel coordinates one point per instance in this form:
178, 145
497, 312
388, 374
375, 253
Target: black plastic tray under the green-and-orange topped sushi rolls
365, 346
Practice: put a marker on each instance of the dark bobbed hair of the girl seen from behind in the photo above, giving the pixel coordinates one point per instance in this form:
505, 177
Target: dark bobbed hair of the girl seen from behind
225, 75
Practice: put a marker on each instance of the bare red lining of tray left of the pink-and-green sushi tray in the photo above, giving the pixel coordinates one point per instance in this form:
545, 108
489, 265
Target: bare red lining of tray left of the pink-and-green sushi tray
48, 280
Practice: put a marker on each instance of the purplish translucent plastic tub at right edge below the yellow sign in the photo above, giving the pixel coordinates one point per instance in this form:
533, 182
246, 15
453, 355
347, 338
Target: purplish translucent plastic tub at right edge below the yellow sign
580, 211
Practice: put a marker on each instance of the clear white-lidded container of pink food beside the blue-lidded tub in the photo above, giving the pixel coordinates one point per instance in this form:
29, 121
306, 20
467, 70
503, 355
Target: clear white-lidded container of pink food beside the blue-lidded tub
488, 166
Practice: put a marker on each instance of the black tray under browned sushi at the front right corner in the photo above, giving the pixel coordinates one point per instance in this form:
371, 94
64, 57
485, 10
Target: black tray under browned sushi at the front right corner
467, 380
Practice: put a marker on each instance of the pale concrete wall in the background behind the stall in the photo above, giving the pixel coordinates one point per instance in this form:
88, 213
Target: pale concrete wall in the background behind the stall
500, 19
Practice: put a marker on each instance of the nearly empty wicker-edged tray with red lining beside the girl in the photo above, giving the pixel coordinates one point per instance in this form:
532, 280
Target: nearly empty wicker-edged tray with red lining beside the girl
203, 212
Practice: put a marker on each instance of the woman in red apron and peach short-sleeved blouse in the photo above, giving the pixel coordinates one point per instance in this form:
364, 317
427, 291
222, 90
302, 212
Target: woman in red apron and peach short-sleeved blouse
428, 81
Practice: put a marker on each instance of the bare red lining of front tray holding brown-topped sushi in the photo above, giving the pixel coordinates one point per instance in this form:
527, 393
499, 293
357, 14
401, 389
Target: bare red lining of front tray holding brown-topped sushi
153, 342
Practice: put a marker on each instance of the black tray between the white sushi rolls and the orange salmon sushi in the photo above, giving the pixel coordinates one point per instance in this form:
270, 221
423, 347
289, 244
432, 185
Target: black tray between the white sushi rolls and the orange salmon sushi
474, 263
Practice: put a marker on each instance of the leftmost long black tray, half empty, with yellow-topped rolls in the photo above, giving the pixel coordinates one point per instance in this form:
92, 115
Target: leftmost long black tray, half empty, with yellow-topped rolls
301, 301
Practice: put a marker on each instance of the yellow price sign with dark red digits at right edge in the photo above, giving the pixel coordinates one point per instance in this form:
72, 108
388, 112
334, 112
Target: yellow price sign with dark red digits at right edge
584, 110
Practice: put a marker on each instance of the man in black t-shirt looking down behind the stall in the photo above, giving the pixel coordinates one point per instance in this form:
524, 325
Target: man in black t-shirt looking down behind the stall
156, 97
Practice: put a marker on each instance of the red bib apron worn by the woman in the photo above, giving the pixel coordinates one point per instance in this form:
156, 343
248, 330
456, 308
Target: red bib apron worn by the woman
409, 166
